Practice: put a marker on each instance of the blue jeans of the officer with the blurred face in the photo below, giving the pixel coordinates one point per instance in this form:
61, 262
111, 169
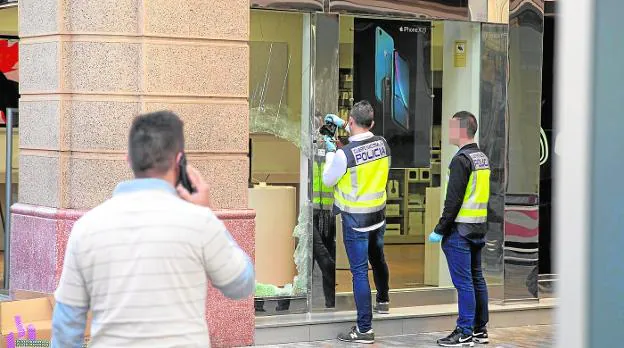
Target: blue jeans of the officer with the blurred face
464, 260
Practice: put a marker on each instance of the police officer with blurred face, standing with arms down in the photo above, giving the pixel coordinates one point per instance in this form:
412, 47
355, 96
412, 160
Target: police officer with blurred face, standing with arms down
462, 230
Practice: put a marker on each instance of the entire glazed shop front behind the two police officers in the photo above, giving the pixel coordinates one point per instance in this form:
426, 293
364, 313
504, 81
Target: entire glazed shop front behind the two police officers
416, 74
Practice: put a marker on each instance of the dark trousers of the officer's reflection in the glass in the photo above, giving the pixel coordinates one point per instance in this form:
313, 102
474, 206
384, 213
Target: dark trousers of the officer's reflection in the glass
324, 252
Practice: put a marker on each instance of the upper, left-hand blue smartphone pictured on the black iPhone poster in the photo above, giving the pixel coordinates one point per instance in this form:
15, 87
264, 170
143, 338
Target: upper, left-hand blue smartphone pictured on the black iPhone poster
384, 49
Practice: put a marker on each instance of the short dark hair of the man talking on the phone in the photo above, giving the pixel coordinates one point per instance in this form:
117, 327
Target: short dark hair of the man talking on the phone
154, 141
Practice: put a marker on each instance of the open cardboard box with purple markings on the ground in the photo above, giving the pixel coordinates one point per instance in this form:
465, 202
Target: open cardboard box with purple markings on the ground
26, 320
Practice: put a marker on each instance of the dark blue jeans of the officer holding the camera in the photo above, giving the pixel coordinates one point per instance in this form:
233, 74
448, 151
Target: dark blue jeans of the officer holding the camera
362, 248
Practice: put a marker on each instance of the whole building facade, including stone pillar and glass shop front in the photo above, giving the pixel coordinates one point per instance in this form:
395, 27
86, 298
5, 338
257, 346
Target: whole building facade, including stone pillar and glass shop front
251, 80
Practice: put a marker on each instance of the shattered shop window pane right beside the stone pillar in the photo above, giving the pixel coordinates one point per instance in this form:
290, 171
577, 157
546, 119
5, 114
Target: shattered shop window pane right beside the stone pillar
277, 185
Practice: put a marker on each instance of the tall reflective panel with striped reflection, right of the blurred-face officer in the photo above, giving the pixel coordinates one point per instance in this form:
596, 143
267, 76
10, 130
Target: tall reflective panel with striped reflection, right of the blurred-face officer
521, 248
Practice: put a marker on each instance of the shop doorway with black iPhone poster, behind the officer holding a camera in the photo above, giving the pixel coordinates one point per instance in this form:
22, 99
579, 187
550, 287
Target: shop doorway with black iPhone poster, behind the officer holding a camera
387, 62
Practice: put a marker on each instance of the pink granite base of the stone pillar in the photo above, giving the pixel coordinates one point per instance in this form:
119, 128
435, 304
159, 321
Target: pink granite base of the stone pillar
38, 247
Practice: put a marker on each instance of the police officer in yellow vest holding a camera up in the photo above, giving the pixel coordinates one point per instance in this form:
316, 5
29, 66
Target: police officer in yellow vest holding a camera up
359, 172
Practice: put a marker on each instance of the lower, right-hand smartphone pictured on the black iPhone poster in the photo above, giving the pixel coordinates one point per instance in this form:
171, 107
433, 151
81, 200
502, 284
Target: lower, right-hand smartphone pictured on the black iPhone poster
400, 113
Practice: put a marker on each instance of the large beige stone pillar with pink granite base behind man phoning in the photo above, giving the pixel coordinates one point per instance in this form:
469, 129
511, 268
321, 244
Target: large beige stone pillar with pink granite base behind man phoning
88, 67
